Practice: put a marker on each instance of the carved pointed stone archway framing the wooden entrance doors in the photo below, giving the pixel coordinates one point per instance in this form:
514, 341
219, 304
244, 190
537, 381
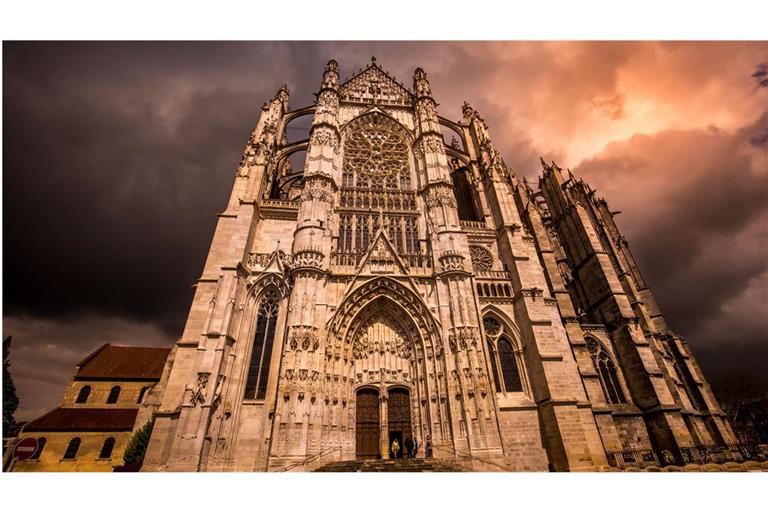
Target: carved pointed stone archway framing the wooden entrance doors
383, 337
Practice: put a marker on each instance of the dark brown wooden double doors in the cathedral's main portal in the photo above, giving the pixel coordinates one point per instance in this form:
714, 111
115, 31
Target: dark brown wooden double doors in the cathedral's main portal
368, 424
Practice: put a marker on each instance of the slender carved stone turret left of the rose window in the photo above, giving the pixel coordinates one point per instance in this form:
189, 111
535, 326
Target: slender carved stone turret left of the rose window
300, 389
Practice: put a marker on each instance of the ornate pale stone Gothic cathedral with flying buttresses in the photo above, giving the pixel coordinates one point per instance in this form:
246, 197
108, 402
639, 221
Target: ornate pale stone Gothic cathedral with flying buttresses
401, 285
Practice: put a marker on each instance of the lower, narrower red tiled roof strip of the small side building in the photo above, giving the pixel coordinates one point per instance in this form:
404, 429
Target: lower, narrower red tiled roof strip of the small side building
84, 419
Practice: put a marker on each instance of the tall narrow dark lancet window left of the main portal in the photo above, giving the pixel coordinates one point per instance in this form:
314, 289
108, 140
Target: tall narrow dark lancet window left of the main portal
263, 339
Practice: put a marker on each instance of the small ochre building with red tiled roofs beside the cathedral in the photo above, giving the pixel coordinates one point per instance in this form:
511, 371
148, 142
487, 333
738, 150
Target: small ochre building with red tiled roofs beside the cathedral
103, 403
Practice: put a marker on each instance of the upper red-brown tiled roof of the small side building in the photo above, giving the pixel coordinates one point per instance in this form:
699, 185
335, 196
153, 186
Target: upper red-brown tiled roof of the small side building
115, 362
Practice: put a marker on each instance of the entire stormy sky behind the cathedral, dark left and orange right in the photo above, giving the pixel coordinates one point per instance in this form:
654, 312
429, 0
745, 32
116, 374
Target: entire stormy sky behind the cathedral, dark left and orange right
116, 156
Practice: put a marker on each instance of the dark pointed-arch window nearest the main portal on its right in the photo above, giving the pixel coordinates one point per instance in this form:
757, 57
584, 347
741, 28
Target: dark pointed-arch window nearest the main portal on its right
506, 360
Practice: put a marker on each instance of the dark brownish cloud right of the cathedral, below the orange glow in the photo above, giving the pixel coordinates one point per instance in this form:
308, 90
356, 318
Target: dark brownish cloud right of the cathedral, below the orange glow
695, 209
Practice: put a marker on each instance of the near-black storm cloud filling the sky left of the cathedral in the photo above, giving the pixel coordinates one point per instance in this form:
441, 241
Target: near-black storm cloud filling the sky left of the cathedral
115, 165
